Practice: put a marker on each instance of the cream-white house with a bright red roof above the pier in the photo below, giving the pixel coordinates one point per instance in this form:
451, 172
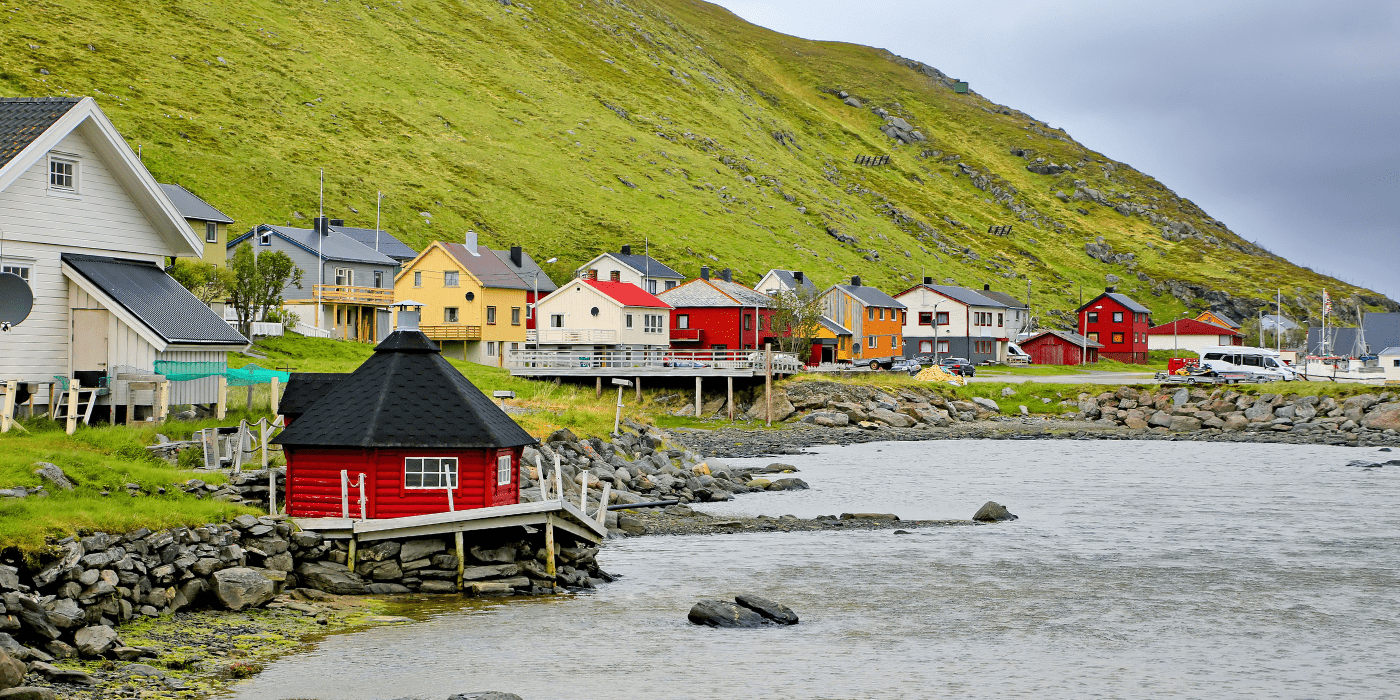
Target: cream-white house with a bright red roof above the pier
604, 316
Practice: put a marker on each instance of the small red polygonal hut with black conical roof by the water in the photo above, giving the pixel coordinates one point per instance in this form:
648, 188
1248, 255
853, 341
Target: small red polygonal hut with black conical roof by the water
422, 437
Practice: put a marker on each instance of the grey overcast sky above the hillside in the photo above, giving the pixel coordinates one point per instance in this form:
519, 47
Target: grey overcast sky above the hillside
1279, 118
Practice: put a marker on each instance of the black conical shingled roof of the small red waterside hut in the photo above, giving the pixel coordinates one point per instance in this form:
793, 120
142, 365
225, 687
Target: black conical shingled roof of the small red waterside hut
405, 397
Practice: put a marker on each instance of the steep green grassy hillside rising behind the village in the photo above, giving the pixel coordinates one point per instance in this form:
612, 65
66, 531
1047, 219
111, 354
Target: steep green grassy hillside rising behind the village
575, 128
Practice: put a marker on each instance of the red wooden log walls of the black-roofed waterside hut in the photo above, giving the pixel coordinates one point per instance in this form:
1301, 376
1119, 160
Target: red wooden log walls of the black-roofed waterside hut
314, 482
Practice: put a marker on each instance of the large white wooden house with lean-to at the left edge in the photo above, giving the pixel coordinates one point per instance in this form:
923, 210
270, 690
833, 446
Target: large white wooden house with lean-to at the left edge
89, 227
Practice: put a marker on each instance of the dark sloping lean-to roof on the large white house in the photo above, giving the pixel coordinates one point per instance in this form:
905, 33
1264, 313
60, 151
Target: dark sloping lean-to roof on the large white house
156, 299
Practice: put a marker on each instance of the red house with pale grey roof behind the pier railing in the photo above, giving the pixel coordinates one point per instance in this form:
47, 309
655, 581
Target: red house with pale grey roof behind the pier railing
719, 316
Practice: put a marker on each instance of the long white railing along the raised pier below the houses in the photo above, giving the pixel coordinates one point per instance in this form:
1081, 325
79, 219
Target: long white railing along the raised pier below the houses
678, 360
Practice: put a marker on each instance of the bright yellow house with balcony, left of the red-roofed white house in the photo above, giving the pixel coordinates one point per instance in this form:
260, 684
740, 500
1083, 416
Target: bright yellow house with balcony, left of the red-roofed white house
474, 304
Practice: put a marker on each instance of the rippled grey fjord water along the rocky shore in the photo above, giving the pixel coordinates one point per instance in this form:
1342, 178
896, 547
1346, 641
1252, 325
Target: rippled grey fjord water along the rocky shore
1136, 570
